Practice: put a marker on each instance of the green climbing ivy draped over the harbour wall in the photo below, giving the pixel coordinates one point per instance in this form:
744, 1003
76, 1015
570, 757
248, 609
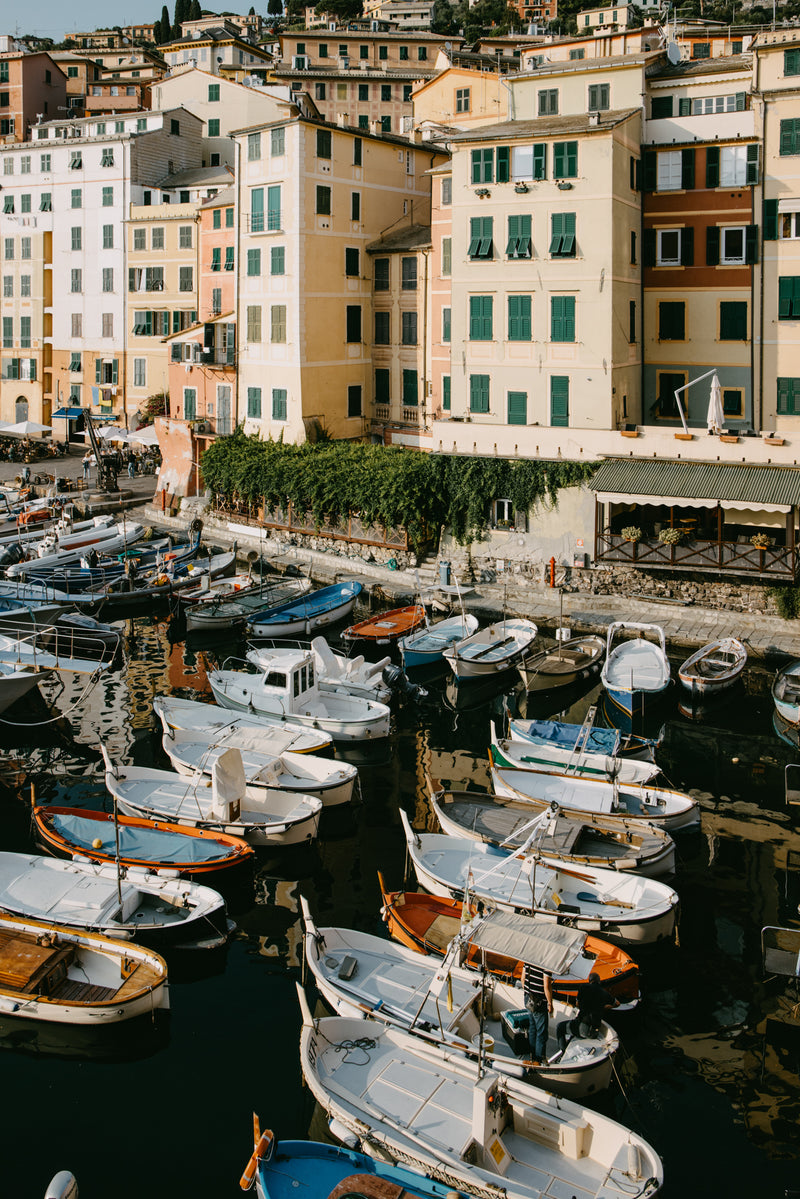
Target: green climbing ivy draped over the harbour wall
386, 485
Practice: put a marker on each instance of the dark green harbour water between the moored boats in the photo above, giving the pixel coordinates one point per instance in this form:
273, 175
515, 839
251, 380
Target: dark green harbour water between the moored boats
711, 1062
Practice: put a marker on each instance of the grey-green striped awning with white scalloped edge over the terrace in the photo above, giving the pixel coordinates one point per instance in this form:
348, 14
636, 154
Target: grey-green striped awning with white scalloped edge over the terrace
697, 485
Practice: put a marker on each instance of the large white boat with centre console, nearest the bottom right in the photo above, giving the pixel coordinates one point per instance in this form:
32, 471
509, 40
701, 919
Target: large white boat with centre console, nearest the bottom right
444, 1113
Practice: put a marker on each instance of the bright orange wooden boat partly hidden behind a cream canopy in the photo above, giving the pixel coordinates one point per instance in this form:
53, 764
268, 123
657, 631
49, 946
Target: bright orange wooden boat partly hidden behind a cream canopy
429, 924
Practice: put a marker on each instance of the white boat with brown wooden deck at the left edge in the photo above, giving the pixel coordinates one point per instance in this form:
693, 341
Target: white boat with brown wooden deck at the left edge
52, 973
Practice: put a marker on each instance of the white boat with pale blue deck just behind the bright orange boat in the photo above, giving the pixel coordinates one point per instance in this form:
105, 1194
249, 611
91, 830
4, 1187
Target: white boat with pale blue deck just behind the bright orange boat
622, 907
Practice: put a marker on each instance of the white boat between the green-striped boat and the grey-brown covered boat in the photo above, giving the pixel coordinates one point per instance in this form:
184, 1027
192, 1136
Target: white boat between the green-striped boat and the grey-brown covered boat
661, 806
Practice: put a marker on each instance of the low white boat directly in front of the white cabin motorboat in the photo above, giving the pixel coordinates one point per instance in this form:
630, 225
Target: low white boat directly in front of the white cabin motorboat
275, 736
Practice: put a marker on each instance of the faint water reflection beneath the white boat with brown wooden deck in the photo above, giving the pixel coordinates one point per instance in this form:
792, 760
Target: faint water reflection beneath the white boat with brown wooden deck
129, 1041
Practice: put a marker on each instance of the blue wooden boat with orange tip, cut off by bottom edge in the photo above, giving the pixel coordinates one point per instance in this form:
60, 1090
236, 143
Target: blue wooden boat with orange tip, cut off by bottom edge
285, 1170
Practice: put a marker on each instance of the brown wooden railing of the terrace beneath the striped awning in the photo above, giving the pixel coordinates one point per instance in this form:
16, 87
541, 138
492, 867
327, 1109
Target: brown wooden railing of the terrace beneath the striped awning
697, 555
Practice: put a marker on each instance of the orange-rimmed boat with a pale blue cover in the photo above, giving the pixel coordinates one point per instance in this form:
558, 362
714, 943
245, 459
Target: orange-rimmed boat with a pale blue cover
140, 843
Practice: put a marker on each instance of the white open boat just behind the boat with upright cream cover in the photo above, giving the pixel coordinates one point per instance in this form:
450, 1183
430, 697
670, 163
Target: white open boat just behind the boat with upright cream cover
329, 781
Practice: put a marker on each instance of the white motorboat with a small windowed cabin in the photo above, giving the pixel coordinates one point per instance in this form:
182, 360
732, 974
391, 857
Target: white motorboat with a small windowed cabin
287, 688
